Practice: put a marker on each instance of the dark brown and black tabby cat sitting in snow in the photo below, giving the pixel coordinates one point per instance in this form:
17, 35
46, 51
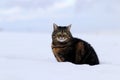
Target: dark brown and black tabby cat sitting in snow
66, 48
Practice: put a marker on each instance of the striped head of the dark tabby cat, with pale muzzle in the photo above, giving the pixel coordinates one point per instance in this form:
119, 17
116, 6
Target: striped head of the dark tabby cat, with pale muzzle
61, 33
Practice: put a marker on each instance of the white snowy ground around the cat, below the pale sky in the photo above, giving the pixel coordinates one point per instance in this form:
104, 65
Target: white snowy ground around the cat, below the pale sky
28, 56
